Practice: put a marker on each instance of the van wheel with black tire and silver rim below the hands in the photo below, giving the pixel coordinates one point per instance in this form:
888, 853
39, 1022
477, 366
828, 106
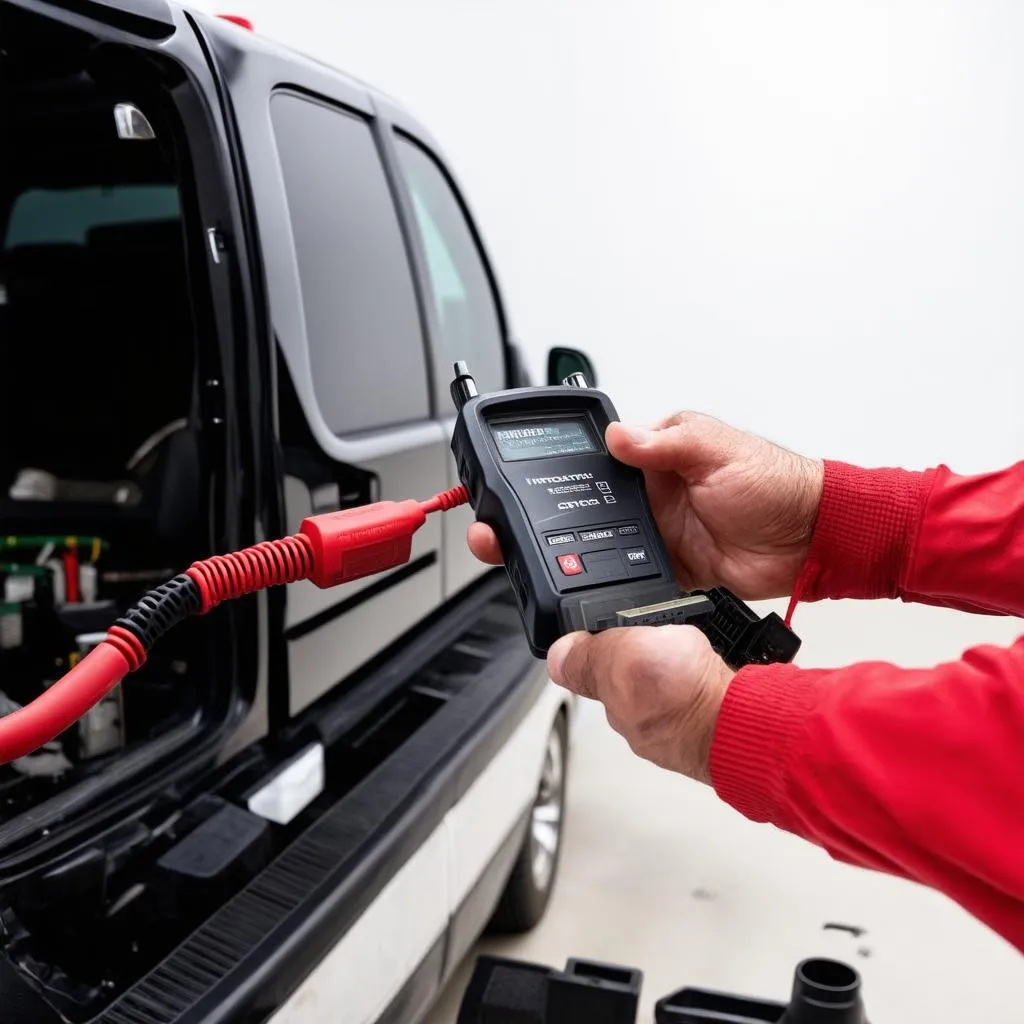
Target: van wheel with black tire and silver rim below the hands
533, 879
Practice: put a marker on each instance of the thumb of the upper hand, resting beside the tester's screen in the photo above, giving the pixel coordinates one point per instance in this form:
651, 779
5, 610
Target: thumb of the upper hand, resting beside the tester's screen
691, 448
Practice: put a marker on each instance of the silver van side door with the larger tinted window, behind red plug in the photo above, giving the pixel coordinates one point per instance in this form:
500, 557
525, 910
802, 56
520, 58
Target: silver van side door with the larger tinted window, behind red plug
357, 417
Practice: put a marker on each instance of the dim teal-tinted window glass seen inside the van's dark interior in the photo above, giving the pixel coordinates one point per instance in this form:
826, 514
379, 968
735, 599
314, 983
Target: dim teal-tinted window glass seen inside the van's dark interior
52, 217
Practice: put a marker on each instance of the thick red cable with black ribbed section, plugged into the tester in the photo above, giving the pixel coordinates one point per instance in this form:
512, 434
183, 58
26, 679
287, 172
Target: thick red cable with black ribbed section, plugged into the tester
329, 550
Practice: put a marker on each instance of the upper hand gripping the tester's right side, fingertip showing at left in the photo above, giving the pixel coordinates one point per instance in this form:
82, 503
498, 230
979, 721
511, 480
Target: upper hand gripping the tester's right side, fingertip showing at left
734, 509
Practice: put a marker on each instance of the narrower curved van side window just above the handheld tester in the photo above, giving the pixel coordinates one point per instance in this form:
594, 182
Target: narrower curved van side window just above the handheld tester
461, 289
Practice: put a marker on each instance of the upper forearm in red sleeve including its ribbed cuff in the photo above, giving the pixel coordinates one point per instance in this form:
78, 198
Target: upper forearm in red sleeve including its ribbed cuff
931, 537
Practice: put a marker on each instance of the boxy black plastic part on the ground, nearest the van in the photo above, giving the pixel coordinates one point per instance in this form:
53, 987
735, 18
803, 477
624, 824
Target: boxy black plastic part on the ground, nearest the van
507, 992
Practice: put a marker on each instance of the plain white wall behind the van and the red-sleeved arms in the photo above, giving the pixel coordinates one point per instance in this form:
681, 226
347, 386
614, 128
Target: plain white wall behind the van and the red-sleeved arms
804, 218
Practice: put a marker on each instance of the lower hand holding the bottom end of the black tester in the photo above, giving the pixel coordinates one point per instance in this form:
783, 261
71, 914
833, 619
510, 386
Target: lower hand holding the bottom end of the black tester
662, 689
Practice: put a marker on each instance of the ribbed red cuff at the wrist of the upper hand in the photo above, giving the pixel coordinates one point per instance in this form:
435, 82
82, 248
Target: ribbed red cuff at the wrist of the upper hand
866, 531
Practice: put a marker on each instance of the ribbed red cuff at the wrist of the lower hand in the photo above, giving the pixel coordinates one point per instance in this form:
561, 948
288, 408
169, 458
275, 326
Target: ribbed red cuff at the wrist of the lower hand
763, 715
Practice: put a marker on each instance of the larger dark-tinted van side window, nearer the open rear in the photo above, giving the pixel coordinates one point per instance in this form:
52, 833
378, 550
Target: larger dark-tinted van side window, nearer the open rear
363, 327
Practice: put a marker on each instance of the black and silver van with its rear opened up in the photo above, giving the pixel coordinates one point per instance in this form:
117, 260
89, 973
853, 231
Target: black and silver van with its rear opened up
233, 282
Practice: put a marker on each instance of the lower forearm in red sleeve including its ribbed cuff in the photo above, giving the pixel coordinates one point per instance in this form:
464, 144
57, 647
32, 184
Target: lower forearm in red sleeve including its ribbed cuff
915, 773
